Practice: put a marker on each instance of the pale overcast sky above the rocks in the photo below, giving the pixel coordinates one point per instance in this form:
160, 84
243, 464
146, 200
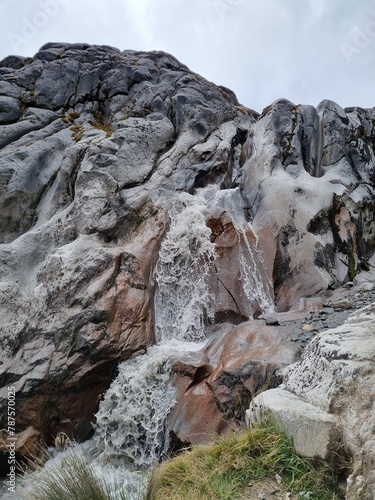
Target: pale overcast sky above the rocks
303, 50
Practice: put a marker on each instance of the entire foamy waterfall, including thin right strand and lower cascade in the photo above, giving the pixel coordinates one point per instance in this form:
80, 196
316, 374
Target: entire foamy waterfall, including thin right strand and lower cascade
130, 424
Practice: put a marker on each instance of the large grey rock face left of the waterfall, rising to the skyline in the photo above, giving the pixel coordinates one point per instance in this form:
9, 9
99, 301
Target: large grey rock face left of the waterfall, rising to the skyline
90, 139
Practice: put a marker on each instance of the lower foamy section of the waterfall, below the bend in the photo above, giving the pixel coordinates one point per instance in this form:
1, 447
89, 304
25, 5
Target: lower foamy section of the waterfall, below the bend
130, 421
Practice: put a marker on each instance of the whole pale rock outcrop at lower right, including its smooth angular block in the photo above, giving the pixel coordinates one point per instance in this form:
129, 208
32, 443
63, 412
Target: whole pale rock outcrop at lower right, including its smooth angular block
327, 400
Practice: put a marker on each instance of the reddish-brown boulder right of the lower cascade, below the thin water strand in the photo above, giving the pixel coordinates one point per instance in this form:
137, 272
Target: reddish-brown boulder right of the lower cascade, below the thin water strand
214, 392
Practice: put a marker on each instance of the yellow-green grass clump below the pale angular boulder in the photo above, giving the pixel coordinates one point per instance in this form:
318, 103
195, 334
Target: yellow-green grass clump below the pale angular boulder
225, 469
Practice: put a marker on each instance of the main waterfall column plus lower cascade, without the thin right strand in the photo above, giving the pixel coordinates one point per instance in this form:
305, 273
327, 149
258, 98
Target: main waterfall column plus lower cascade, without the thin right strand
131, 418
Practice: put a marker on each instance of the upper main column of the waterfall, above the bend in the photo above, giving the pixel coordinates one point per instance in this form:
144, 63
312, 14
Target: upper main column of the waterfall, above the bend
183, 301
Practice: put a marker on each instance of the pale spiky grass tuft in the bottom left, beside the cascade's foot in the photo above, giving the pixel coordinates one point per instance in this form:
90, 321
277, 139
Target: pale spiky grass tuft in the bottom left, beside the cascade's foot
69, 477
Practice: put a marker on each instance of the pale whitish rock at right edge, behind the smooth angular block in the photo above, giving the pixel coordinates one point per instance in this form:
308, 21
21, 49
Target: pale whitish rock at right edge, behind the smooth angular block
336, 374
